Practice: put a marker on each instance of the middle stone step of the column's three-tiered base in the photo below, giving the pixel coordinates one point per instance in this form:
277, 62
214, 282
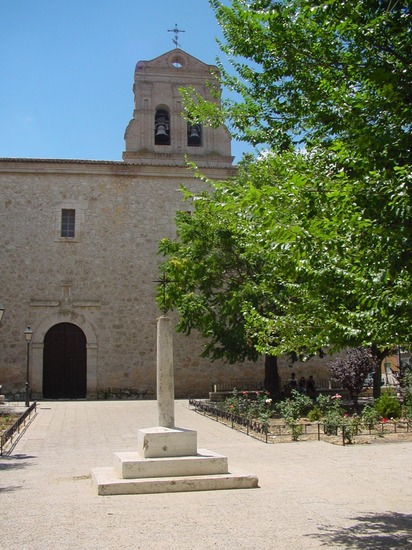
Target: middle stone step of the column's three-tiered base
130, 465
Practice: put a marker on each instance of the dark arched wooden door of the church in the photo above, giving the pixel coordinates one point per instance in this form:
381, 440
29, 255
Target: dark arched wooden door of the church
64, 362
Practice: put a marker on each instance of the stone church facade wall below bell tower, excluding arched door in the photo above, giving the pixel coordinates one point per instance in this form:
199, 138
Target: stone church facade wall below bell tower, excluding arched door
103, 280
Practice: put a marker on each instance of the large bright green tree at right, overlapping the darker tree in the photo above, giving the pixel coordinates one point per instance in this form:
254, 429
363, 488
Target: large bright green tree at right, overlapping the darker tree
336, 78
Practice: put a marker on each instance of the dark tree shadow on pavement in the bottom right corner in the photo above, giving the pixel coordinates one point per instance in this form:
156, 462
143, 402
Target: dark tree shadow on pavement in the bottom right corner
371, 532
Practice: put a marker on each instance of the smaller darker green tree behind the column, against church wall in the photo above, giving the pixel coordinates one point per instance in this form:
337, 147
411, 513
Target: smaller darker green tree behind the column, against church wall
211, 271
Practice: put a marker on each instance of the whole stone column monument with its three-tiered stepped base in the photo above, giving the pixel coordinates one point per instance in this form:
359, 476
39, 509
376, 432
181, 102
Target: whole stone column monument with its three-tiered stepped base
167, 458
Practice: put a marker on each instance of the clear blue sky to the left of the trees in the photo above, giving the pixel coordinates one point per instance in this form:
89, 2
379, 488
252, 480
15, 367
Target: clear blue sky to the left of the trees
67, 69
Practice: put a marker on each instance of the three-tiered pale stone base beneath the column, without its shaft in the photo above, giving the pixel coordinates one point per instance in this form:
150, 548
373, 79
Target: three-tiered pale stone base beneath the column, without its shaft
168, 461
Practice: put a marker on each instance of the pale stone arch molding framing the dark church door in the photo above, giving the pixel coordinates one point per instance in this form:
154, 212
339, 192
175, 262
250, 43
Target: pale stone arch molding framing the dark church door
37, 345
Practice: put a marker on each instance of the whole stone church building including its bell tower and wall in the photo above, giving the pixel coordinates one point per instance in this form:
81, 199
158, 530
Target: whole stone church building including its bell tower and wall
79, 258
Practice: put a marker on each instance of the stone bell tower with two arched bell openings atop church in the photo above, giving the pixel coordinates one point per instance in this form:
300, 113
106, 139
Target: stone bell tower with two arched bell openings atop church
158, 134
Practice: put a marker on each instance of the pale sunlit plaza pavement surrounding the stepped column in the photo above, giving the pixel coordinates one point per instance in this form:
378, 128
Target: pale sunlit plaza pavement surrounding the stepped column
310, 495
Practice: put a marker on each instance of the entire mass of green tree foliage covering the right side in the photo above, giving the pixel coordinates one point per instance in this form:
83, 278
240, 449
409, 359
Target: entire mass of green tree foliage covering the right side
308, 249
